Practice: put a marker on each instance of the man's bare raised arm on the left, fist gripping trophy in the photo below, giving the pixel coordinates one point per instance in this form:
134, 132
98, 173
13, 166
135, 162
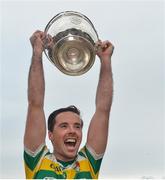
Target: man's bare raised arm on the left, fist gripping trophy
35, 131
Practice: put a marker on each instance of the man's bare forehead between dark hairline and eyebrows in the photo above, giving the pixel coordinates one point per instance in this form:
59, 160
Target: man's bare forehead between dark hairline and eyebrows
68, 116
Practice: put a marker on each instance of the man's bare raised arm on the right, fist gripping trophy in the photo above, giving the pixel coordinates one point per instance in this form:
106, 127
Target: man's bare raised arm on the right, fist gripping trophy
98, 129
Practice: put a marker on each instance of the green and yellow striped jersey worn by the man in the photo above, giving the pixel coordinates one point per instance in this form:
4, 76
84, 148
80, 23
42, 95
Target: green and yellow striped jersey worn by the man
44, 165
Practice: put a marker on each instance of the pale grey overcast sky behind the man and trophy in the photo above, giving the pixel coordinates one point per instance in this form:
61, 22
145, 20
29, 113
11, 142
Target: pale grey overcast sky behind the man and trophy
136, 144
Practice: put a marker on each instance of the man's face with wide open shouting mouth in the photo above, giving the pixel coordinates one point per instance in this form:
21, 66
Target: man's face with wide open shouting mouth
66, 136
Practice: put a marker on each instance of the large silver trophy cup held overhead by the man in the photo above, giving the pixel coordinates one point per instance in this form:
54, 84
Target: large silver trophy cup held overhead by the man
74, 37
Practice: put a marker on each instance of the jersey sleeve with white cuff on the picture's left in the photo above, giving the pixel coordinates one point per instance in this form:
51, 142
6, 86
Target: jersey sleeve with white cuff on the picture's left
33, 159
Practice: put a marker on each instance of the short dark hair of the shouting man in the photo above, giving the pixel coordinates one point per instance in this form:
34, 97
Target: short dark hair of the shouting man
52, 116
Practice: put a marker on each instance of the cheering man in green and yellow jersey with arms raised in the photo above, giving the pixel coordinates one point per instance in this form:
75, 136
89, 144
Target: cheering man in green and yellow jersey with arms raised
65, 124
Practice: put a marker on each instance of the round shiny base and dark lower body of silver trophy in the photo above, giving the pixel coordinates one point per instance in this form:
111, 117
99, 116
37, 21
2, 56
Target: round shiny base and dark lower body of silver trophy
73, 52
